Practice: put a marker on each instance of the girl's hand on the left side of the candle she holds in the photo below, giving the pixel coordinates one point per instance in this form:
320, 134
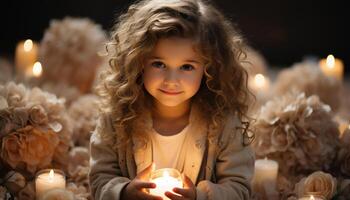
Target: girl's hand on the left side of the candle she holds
136, 189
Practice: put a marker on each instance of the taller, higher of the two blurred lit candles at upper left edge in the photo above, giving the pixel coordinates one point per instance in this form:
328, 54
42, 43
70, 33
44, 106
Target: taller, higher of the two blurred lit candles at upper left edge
26, 56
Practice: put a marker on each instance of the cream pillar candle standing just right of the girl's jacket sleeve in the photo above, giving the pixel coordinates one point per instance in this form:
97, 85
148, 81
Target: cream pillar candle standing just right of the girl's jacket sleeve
265, 175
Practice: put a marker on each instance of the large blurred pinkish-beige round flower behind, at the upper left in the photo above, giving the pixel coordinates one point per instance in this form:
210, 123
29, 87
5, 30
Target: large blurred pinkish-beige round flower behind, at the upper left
69, 52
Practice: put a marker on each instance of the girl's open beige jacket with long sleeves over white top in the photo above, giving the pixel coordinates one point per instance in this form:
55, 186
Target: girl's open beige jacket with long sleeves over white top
220, 167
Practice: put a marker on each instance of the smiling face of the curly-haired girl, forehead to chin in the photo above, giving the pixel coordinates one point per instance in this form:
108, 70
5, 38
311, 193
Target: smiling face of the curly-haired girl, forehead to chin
173, 71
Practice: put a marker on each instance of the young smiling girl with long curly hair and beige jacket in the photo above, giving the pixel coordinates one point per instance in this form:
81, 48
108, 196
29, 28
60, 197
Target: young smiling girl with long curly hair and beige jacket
175, 96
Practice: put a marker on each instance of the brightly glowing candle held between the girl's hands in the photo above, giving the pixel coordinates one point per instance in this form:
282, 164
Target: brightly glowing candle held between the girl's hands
165, 179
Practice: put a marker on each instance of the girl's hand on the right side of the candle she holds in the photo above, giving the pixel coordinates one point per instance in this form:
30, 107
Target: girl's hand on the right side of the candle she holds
187, 193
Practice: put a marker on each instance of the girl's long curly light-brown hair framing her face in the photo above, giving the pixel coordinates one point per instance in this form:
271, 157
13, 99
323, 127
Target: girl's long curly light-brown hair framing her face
224, 84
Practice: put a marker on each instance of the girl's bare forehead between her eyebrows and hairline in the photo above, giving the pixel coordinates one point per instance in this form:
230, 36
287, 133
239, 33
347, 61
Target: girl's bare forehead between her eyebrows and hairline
176, 46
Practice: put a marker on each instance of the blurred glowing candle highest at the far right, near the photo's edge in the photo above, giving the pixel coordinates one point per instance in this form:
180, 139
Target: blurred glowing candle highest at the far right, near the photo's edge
332, 67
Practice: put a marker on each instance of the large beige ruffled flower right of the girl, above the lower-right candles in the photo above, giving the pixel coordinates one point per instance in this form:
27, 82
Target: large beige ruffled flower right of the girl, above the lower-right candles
298, 132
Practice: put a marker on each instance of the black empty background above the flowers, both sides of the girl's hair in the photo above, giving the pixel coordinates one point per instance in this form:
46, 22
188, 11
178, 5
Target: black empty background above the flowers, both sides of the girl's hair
284, 31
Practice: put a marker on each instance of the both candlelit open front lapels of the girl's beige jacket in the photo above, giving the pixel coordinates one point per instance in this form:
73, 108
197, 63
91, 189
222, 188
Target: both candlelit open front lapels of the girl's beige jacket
195, 142
